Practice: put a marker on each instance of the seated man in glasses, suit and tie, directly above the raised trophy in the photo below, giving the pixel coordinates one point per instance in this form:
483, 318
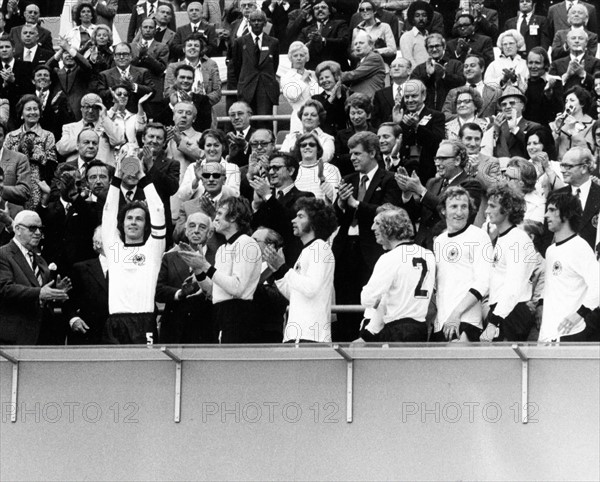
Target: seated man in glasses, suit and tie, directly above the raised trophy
137, 78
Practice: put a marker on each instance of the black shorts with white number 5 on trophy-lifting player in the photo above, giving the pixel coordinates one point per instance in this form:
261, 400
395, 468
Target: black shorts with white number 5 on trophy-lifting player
130, 329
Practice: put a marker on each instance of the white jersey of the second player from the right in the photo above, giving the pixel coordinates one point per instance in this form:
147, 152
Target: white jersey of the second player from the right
513, 261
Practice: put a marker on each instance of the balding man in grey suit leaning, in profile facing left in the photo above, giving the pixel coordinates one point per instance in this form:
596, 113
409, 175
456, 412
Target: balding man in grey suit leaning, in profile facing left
369, 75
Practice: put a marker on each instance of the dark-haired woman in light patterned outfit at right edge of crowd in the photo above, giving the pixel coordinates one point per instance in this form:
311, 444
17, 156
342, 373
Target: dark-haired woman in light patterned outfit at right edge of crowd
573, 127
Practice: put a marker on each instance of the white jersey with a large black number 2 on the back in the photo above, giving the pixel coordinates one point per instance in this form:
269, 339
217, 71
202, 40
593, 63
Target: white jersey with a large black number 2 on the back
402, 282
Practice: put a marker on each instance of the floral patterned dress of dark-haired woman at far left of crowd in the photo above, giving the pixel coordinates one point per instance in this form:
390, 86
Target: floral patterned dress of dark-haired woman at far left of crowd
38, 145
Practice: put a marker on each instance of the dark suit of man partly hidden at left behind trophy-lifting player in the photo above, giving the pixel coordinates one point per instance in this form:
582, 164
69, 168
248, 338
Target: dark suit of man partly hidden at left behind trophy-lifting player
88, 300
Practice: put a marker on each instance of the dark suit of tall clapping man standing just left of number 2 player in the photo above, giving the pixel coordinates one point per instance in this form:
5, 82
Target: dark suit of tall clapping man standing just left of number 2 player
357, 255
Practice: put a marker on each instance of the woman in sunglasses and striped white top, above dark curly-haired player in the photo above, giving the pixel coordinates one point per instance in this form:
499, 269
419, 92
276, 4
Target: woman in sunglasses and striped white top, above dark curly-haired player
314, 175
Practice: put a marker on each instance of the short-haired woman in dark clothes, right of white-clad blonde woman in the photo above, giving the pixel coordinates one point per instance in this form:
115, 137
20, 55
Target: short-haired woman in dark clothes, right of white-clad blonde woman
333, 98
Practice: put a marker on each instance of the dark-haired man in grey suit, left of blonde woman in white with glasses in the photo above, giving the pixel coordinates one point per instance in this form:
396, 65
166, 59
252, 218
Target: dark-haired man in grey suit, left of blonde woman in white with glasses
473, 70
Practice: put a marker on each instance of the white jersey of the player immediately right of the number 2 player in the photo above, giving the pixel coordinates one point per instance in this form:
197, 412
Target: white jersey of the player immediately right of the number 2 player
462, 267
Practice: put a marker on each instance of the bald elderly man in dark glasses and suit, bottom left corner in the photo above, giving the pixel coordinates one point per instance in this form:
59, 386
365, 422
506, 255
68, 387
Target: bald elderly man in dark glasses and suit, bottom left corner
26, 287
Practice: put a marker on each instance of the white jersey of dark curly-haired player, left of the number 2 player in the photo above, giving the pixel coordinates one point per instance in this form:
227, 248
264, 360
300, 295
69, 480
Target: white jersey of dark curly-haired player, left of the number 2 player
309, 287
